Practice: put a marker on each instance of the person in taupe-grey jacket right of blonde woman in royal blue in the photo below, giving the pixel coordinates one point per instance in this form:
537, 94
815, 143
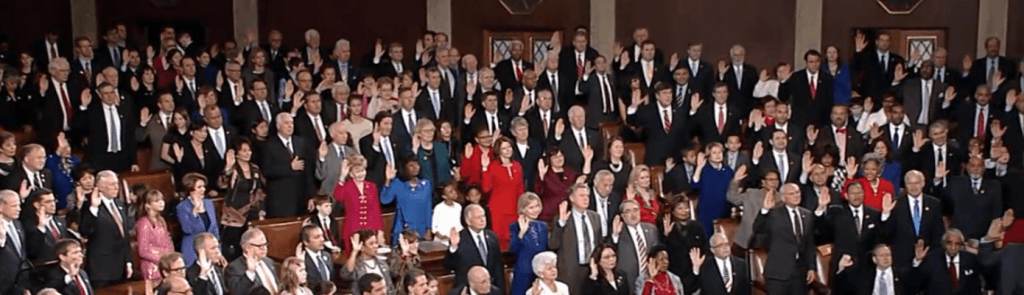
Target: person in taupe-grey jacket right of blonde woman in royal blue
751, 200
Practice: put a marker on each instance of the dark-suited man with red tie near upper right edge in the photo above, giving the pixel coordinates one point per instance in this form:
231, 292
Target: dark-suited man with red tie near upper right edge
974, 119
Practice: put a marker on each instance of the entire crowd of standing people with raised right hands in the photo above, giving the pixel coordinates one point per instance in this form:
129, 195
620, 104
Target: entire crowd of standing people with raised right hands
909, 167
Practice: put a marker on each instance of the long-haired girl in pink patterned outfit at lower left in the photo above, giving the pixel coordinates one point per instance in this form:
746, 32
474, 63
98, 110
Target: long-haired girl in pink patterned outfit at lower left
154, 240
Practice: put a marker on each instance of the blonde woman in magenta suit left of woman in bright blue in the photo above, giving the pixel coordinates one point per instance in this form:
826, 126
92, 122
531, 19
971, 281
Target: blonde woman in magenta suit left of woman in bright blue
363, 206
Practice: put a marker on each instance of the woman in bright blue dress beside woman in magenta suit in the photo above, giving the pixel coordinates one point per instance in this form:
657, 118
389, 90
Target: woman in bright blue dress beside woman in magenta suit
413, 195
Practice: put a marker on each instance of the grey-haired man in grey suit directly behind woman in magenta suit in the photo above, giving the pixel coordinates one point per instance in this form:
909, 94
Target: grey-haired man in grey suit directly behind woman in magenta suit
332, 157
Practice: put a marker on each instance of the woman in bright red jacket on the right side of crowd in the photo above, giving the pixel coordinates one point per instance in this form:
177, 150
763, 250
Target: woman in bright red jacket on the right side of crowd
875, 187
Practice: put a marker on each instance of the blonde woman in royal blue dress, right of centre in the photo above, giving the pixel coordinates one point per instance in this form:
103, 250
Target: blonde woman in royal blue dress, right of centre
712, 179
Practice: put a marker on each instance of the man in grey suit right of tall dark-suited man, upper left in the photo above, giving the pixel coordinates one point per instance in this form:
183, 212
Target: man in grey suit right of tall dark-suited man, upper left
153, 129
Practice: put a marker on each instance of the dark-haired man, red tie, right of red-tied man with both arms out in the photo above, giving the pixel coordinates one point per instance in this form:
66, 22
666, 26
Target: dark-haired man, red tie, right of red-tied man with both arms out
716, 120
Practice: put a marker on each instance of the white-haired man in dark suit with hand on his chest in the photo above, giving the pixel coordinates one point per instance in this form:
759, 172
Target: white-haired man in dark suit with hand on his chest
288, 163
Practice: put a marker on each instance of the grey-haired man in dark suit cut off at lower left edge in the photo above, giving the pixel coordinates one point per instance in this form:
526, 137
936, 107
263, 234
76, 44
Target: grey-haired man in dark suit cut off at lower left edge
15, 272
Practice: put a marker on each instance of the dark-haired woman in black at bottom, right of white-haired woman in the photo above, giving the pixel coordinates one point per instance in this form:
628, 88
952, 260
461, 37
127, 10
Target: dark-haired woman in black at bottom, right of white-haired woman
606, 278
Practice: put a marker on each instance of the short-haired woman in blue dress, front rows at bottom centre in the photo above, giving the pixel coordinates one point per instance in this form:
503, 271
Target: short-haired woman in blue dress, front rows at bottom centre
527, 243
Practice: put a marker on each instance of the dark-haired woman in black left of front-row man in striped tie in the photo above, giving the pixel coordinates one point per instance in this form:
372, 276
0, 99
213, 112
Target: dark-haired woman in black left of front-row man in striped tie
679, 230
